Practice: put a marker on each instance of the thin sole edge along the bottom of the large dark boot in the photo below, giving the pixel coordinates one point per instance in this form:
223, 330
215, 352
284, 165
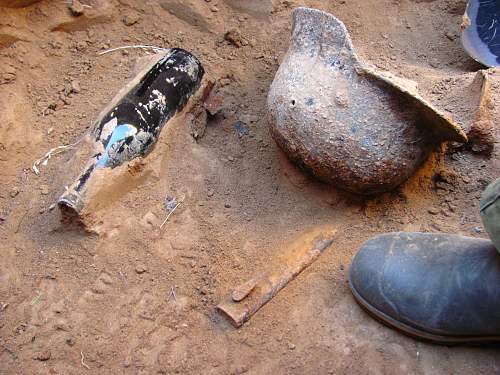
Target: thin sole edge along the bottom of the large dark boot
414, 332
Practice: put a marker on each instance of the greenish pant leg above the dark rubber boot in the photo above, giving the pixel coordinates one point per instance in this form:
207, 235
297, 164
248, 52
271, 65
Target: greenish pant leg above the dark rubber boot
490, 211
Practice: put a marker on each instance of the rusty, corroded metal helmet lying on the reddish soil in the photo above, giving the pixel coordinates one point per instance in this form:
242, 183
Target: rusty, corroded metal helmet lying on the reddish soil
348, 124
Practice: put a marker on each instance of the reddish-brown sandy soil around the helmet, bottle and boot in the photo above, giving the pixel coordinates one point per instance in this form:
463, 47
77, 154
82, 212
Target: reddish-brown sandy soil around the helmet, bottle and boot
78, 303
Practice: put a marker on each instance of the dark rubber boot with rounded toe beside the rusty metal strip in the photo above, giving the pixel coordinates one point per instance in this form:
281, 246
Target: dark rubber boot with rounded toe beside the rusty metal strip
436, 287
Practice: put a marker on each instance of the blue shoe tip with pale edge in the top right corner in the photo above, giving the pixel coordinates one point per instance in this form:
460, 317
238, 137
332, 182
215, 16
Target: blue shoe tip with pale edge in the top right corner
481, 31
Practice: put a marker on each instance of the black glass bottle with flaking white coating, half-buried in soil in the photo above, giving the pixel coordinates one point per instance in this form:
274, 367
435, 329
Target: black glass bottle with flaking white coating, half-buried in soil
130, 125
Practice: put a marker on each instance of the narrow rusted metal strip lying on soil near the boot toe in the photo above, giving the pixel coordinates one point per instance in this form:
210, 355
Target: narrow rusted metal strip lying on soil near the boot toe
246, 299
